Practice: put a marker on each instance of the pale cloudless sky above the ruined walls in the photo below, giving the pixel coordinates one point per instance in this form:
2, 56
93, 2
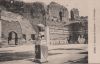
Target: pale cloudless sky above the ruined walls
82, 5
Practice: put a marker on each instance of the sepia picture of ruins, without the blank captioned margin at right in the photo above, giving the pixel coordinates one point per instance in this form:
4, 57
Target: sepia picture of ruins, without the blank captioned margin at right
44, 32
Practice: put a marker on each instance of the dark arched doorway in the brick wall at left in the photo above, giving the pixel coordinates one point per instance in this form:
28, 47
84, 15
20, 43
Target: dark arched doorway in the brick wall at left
13, 36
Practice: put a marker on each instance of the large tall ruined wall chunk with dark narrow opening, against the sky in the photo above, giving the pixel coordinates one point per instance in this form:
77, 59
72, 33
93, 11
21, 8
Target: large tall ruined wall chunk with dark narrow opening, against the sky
57, 12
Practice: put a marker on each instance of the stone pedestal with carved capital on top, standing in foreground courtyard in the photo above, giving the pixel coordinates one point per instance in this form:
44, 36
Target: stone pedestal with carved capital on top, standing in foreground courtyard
41, 49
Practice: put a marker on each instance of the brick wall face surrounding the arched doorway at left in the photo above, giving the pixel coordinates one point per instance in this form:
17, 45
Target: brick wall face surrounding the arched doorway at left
8, 27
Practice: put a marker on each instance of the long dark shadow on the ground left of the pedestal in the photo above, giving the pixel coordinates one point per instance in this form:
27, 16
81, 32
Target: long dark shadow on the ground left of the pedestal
15, 56
